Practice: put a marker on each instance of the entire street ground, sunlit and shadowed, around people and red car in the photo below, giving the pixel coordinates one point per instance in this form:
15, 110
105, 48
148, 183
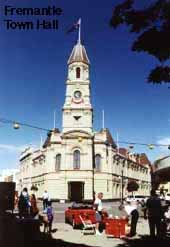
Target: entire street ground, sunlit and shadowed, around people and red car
63, 235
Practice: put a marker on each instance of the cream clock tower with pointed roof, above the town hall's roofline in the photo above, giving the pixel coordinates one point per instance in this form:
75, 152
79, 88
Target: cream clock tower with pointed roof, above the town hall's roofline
77, 109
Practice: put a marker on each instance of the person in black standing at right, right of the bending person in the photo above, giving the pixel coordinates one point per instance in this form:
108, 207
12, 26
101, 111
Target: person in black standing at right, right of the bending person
154, 213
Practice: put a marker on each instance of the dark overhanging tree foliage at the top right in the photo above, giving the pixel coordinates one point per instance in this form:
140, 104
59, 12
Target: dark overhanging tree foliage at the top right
152, 26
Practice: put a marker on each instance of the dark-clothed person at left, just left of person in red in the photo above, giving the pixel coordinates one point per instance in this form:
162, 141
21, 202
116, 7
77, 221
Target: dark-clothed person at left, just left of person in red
24, 203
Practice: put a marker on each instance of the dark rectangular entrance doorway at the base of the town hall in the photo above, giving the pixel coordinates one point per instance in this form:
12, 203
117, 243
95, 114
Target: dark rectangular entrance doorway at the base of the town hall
76, 191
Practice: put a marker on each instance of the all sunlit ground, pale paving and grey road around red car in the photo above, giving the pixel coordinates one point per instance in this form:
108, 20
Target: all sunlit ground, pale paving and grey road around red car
69, 235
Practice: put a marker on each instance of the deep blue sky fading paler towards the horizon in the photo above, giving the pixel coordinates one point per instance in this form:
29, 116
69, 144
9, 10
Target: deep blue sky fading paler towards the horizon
33, 71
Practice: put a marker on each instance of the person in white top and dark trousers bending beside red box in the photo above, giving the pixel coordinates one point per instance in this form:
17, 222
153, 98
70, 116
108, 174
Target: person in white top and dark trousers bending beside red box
132, 212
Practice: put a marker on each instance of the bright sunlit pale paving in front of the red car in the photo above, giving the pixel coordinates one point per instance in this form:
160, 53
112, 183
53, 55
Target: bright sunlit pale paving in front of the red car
67, 234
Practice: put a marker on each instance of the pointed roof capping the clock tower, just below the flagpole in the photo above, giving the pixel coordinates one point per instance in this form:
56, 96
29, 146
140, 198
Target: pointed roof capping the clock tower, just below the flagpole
78, 54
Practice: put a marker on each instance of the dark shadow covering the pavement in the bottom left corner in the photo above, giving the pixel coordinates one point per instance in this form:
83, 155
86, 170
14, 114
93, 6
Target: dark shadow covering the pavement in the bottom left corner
26, 233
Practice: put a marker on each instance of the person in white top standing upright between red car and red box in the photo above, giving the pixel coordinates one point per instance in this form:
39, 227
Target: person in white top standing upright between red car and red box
99, 208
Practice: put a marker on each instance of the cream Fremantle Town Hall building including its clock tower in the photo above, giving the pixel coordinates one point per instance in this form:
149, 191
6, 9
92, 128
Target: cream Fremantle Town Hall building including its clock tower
77, 161
